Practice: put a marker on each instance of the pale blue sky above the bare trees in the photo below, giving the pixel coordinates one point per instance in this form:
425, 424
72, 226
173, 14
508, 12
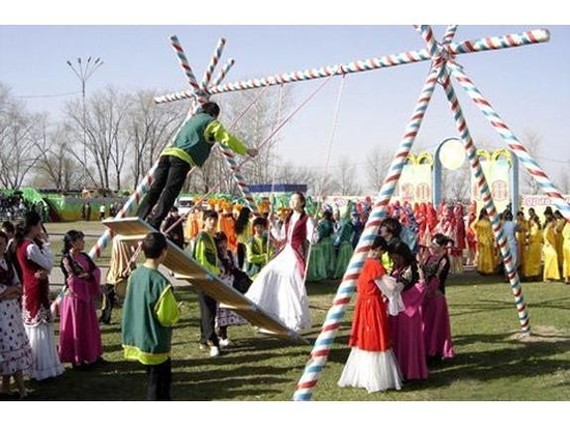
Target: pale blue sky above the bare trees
528, 86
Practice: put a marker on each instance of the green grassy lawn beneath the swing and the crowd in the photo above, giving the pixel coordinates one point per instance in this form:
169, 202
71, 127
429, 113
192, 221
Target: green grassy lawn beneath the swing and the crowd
494, 361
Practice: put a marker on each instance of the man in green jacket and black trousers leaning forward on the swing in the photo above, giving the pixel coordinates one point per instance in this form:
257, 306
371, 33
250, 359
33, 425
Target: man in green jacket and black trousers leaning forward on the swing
191, 148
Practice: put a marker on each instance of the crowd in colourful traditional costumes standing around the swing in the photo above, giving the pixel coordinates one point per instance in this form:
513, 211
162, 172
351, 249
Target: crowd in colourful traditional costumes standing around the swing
400, 321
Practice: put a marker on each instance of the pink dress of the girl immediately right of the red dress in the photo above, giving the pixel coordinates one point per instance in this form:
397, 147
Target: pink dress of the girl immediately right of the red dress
407, 336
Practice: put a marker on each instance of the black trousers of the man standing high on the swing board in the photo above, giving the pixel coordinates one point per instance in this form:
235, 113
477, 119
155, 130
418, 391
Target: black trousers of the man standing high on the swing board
169, 178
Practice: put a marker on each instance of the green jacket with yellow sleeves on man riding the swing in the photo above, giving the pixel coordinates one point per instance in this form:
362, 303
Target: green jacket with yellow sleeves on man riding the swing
196, 138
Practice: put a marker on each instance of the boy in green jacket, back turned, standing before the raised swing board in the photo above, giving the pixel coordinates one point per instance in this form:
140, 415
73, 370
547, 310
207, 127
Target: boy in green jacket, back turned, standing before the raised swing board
149, 312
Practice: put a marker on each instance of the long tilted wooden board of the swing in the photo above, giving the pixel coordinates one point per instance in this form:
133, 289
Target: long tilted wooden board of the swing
186, 268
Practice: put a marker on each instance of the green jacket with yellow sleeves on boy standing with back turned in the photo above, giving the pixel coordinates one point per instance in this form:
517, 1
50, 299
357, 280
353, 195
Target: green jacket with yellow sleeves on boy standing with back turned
149, 312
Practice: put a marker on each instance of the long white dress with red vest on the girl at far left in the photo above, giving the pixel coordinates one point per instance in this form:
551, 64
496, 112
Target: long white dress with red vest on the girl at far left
36, 310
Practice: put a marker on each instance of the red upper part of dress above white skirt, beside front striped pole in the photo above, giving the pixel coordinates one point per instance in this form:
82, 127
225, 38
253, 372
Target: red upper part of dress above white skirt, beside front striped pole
370, 329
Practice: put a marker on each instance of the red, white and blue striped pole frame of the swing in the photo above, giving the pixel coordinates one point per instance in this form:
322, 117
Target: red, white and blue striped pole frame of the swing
442, 56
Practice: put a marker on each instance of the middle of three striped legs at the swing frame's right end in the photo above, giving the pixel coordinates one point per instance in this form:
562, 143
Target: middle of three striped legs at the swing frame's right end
500, 237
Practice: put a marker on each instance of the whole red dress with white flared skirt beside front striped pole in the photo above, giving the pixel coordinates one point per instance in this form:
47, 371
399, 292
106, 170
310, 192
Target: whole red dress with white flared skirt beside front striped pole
371, 363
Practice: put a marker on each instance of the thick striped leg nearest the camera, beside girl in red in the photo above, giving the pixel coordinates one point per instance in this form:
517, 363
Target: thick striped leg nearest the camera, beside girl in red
319, 354
